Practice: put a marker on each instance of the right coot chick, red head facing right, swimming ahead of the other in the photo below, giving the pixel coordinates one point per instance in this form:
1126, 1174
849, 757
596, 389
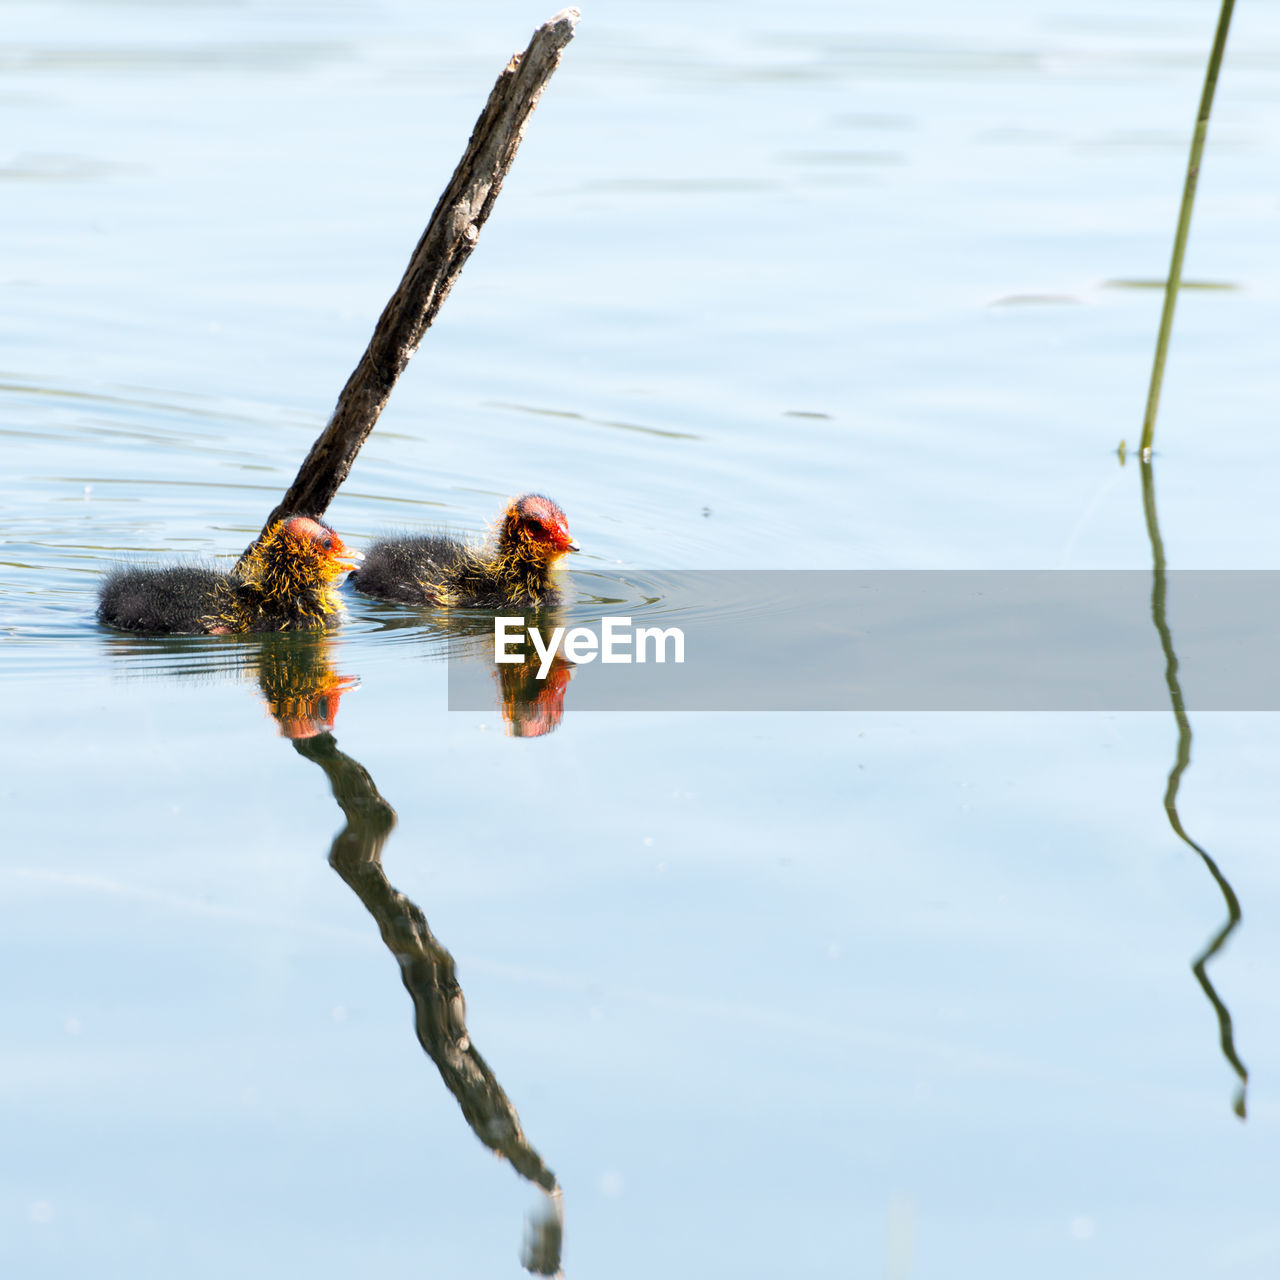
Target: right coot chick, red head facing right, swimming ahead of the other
515, 568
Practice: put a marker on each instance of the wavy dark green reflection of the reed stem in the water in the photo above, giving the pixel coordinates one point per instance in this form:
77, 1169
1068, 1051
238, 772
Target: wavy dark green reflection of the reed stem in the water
1182, 760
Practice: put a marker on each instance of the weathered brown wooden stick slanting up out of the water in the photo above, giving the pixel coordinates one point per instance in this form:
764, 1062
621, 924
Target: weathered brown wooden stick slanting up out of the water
441, 254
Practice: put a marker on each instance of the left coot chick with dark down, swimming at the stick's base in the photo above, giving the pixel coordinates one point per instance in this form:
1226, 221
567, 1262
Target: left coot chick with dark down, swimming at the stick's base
286, 583
